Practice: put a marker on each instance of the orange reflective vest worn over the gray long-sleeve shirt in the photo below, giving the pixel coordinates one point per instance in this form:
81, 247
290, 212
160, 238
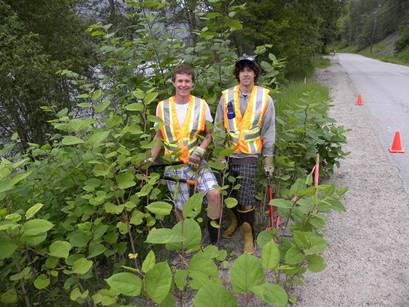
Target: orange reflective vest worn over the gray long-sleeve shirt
245, 130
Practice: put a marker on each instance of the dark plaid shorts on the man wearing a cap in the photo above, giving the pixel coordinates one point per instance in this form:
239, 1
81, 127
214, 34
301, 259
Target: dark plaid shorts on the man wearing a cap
245, 169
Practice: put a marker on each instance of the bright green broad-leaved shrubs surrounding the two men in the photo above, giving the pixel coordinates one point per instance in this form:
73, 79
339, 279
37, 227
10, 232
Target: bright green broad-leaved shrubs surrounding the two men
82, 222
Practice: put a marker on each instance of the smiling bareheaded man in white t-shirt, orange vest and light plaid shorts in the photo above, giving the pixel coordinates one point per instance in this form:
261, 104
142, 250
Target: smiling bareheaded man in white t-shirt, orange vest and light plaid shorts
185, 136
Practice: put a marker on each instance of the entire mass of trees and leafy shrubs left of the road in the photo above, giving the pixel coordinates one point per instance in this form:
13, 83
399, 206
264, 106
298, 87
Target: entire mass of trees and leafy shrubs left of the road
79, 81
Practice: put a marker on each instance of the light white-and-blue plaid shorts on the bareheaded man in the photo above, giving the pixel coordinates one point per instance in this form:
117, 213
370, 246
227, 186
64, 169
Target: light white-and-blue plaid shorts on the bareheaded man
181, 191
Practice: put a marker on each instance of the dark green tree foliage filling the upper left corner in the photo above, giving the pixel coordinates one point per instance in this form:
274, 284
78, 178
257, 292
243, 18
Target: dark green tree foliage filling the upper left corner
36, 42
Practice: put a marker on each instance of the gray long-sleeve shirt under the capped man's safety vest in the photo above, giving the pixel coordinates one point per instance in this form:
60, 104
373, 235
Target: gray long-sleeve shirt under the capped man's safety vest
267, 127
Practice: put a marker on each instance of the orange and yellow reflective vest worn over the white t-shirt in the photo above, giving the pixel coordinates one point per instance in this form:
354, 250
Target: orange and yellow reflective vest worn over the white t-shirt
182, 138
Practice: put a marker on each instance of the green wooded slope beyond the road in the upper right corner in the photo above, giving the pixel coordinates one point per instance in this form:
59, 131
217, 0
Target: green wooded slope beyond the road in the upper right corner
375, 29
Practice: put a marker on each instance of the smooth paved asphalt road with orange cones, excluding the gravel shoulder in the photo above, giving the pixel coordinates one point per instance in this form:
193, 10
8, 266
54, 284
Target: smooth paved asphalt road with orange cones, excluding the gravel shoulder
385, 91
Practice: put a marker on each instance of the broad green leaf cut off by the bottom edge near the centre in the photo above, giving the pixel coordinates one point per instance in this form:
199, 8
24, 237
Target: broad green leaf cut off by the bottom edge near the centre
214, 295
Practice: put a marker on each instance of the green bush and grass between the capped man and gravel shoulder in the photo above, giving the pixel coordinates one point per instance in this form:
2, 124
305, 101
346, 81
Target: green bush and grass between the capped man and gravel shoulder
303, 130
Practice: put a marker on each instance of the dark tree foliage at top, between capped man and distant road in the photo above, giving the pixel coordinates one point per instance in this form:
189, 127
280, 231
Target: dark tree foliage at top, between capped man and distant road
296, 30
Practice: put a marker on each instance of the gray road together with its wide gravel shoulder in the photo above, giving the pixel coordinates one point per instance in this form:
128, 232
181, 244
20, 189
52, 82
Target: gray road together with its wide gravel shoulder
368, 245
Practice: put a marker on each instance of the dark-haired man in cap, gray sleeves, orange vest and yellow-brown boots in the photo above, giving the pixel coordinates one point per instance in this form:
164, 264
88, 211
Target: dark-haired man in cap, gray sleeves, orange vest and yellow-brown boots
246, 113
